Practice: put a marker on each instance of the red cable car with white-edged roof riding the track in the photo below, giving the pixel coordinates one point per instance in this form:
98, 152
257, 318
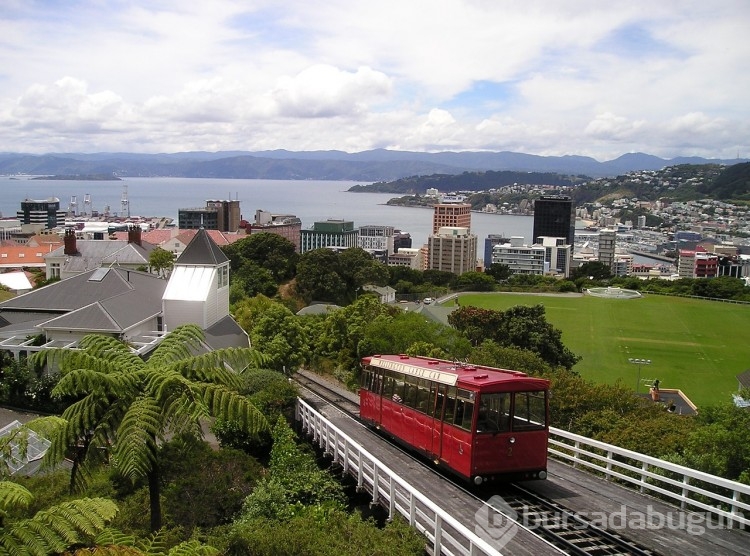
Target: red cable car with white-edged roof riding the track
480, 423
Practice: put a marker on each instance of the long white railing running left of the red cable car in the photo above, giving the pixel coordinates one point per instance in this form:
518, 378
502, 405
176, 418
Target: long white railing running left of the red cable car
446, 535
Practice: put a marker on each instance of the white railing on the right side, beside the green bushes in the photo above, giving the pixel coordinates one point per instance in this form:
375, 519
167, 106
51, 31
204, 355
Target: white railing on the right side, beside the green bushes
694, 490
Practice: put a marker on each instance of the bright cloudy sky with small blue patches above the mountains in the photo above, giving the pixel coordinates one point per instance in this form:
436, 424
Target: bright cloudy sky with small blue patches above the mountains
548, 77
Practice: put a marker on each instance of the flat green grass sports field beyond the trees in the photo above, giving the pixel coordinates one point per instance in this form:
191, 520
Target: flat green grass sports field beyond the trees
696, 346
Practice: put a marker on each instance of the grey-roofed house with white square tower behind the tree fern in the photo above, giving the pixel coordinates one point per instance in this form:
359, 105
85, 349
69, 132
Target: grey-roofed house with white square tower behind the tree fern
136, 307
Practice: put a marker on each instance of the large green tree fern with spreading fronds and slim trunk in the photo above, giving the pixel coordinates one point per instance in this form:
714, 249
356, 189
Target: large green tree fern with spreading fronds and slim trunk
127, 406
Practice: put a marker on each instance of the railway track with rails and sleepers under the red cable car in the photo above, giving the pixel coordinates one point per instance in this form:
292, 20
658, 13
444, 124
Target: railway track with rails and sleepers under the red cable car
568, 531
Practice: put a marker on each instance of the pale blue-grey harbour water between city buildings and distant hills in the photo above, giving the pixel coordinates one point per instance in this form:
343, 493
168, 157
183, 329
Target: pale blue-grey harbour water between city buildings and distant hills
309, 200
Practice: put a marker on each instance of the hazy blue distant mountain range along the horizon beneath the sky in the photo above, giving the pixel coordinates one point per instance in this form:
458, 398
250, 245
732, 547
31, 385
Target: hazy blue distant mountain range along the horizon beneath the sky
366, 166
